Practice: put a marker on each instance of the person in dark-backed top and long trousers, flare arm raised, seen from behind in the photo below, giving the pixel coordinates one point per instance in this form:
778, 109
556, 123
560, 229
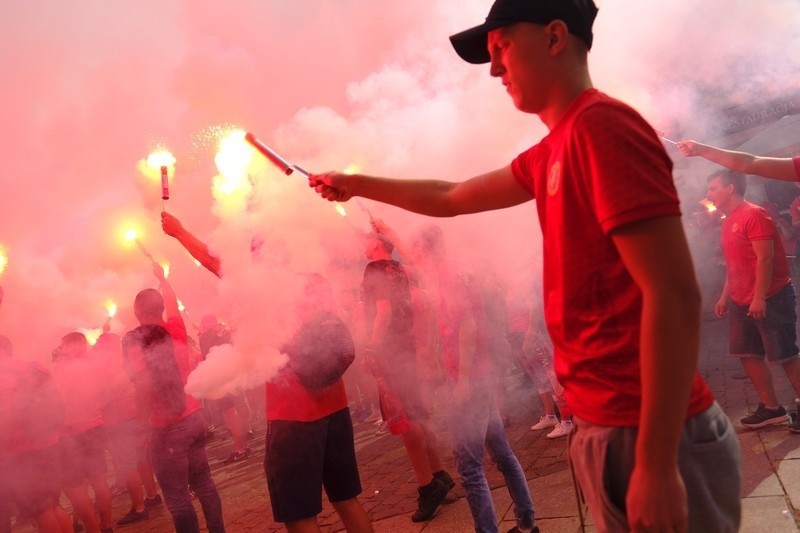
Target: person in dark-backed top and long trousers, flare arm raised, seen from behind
159, 361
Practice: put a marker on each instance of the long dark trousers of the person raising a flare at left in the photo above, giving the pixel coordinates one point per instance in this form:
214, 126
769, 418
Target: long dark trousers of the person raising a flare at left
178, 454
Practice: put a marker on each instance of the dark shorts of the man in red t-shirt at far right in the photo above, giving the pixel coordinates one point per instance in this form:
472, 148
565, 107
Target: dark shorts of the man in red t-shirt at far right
774, 337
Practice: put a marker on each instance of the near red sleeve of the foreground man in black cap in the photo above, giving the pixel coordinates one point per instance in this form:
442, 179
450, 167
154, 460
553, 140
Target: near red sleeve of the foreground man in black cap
629, 172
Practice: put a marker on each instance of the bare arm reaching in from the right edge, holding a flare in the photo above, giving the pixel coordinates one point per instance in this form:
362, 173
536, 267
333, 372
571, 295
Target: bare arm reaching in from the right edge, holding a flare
779, 168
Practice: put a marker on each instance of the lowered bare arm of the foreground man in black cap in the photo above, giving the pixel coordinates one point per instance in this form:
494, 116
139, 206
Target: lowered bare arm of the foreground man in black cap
657, 256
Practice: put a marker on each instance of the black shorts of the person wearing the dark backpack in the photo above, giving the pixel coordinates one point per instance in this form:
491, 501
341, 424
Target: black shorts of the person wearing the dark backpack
303, 457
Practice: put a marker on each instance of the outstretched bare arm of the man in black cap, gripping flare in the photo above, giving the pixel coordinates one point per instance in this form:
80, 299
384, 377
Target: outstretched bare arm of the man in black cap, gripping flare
494, 190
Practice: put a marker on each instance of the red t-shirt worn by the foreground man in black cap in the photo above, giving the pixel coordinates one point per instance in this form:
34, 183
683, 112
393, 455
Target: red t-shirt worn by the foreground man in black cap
600, 168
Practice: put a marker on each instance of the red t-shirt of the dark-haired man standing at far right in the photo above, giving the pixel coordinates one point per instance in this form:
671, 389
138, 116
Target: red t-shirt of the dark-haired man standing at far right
748, 223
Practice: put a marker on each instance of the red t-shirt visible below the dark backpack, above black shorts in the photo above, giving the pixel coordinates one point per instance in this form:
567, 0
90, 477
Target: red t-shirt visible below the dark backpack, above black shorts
288, 399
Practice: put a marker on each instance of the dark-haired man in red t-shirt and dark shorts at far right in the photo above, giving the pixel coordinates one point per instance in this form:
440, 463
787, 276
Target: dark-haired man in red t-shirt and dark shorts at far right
758, 295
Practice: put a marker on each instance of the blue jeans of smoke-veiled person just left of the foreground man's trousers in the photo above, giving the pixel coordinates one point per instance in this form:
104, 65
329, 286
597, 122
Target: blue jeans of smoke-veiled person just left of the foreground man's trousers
472, 425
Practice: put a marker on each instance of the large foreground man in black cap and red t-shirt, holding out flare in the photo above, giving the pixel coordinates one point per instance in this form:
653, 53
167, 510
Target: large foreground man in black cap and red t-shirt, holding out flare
622, 303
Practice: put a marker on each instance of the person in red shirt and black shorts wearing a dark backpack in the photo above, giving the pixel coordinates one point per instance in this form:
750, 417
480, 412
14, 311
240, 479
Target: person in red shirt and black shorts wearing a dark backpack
309, 443
